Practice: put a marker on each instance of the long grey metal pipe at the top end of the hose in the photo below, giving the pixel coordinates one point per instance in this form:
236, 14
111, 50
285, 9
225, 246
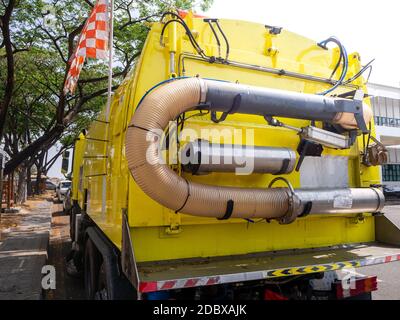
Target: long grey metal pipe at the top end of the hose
231, 98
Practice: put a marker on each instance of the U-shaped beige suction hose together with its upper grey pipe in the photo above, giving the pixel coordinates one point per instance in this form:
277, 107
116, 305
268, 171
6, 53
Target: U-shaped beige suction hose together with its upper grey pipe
163, 185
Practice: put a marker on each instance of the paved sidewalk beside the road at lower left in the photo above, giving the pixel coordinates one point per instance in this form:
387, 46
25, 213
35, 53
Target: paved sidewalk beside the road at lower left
24, 239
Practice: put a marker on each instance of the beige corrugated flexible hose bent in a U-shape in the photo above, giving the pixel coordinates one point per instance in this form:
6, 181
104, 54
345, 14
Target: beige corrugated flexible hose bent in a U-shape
166, 187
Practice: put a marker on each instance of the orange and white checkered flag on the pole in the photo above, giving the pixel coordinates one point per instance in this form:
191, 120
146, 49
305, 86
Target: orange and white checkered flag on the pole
93, 43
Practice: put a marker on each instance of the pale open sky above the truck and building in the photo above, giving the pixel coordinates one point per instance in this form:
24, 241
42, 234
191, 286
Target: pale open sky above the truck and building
371, 28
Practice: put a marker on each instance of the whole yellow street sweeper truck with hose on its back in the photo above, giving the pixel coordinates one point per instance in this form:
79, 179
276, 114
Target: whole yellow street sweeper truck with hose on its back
237, 161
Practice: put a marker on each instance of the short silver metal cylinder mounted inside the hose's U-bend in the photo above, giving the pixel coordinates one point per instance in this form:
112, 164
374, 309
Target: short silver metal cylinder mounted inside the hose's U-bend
201, 157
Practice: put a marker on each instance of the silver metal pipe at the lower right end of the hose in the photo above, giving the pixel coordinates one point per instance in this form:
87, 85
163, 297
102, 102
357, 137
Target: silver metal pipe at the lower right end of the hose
341, 201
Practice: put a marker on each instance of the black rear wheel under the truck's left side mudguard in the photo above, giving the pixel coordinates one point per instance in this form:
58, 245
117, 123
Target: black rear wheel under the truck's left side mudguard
92, 262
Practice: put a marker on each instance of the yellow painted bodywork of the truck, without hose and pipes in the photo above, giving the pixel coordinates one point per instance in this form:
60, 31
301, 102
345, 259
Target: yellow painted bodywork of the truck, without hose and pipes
160, 234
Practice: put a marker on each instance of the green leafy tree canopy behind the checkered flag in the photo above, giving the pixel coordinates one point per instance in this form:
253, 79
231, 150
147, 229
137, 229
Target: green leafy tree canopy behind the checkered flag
44, 34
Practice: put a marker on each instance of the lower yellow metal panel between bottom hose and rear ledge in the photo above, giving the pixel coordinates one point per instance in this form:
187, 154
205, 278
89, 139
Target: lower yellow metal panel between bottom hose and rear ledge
219, 239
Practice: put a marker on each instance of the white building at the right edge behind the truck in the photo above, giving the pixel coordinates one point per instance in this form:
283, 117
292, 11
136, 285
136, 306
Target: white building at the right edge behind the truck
386, 104
